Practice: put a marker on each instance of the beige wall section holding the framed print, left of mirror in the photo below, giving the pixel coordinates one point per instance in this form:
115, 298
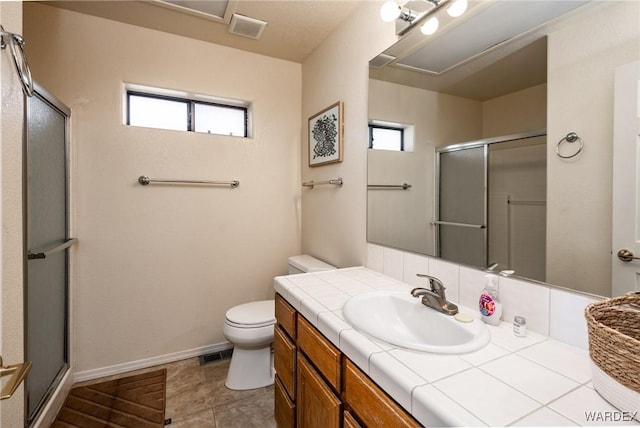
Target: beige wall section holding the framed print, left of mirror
334, 219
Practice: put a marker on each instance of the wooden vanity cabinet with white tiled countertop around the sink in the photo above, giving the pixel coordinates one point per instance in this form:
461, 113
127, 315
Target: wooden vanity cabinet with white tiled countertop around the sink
328, 373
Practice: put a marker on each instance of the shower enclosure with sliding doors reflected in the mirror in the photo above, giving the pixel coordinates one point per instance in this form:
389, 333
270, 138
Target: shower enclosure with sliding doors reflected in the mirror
491, 203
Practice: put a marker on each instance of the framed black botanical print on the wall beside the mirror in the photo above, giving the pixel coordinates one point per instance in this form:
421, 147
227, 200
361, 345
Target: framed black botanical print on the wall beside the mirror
326, 135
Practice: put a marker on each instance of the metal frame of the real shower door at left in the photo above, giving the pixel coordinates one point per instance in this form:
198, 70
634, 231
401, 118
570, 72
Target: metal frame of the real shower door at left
55, 103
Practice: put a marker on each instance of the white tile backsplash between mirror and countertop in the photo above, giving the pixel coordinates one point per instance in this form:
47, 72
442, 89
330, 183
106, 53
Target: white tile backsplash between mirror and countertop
552, 312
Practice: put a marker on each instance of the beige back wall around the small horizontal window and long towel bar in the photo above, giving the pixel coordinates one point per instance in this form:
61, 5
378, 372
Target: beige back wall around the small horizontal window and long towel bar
158, 266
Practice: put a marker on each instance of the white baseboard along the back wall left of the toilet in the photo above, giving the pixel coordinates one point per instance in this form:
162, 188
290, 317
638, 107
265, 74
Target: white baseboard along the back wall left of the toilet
149, 362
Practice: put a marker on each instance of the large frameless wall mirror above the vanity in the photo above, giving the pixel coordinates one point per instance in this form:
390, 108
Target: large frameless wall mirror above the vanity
464, 162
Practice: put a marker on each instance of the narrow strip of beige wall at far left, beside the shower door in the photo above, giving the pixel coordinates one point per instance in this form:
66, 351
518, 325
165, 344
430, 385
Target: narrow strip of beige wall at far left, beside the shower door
11, 247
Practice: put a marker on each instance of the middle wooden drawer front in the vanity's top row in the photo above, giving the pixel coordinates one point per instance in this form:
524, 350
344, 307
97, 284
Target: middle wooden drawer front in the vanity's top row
324, 355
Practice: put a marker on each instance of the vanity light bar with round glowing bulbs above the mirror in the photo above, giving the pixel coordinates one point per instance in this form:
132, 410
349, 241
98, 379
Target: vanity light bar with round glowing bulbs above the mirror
406, 18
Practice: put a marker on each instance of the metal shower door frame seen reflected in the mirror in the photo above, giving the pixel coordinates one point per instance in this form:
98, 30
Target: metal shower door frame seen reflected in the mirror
485, 142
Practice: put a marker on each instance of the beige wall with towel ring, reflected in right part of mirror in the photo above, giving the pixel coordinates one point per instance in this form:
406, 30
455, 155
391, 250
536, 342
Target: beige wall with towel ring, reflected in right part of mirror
582, 58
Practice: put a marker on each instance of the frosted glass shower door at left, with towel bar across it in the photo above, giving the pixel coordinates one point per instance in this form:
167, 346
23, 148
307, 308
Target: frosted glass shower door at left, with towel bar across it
46, 242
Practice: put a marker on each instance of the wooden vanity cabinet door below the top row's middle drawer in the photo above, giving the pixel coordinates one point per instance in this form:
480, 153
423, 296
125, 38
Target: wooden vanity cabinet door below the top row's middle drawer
317, 406
